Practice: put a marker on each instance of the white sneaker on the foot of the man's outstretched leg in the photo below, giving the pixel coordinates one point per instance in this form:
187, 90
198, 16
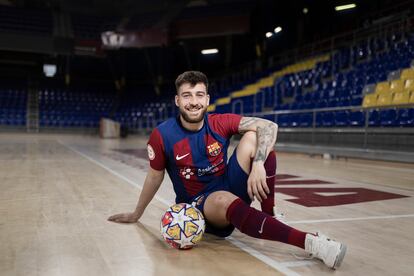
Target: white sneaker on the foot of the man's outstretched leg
329, 251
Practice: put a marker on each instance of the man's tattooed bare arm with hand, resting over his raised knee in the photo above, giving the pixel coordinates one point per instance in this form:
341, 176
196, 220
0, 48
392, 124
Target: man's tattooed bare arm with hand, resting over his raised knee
266, 134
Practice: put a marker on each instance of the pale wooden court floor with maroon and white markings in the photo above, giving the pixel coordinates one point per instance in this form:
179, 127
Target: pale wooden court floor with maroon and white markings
58, 190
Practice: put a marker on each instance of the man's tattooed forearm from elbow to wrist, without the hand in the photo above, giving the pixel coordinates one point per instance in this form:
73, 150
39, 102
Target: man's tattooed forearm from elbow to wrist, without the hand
266, 138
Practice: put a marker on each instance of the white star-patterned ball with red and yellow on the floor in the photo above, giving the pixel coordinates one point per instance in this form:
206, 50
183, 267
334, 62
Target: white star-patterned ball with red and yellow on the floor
182, 226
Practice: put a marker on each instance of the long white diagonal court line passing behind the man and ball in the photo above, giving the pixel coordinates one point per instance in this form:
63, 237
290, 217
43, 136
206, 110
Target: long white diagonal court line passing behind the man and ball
265, 259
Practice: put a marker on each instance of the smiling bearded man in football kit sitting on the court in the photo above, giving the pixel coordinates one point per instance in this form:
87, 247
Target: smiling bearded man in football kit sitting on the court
193, 150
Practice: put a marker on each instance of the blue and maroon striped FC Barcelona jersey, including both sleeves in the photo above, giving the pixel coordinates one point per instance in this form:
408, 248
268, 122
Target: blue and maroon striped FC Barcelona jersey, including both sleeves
193, 159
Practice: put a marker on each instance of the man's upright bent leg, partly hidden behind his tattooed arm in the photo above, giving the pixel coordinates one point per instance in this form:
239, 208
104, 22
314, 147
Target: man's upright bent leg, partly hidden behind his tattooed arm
246, 150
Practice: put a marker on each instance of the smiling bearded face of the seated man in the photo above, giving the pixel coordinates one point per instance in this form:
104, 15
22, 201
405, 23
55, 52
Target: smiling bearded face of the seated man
192, 102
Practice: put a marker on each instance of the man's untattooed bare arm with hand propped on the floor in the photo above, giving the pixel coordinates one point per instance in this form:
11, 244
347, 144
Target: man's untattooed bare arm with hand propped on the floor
152, 183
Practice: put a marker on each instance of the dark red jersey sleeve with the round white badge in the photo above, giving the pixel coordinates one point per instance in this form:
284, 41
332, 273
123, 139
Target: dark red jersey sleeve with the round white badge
156, 153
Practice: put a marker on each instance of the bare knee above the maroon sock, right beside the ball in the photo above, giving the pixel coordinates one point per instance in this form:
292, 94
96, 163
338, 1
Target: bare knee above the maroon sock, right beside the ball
215, 207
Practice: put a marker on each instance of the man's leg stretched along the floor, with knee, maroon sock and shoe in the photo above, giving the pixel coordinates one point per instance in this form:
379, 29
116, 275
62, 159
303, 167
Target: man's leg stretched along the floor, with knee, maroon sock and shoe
222, 208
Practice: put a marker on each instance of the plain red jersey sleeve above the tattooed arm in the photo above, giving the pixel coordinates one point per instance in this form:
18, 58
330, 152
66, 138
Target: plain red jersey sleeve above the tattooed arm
225, 124
